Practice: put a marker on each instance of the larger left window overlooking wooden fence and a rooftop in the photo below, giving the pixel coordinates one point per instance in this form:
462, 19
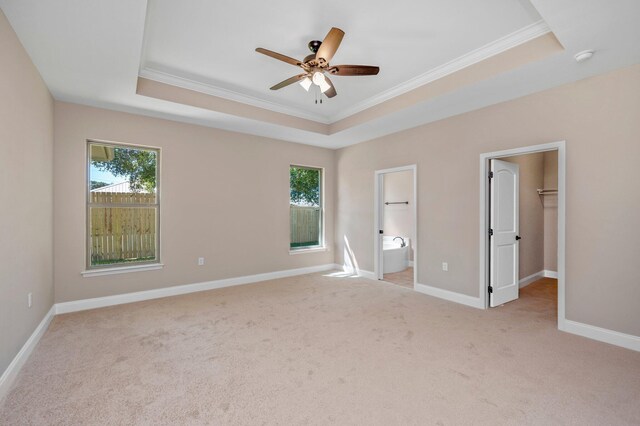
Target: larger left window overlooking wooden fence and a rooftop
123, 205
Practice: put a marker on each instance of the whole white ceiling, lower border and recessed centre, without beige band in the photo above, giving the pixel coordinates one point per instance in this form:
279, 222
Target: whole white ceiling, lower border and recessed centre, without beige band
92, 52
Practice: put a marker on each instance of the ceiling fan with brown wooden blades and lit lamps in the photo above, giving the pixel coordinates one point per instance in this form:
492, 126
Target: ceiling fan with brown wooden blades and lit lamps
316, 65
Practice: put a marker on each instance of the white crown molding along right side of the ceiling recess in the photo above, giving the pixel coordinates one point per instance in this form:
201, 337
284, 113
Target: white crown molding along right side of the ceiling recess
505, 43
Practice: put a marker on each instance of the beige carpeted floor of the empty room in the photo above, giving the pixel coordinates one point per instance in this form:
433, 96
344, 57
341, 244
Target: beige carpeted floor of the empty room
317, 349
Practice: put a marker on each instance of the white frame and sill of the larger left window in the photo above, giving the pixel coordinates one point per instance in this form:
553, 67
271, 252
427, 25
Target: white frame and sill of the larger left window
117, 268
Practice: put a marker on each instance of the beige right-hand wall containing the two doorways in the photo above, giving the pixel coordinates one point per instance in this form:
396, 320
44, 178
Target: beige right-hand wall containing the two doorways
598, 118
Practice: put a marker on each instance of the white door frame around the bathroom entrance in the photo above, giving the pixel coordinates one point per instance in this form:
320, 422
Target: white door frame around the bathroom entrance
378, 216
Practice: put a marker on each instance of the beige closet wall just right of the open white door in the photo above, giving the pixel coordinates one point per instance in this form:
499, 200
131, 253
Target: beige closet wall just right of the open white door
531, 247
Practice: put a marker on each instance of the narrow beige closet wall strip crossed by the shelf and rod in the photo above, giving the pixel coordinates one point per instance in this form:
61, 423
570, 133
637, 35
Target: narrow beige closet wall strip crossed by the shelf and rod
550, 203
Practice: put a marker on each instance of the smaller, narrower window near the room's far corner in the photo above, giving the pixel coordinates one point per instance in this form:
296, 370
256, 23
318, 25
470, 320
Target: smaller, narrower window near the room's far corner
305, 208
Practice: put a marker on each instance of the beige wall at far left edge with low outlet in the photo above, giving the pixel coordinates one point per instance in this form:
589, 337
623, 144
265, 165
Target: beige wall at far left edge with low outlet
26, 203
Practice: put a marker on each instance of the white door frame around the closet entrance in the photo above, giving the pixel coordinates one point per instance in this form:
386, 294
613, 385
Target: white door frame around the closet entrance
559, 146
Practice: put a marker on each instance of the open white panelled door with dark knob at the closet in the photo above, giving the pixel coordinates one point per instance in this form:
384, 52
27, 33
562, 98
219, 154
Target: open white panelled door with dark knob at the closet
504, 228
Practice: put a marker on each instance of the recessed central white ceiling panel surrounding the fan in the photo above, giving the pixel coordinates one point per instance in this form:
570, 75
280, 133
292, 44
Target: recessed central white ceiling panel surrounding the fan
214, 43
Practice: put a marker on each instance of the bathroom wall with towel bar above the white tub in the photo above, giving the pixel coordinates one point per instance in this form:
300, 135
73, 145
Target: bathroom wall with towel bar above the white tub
398, 218
